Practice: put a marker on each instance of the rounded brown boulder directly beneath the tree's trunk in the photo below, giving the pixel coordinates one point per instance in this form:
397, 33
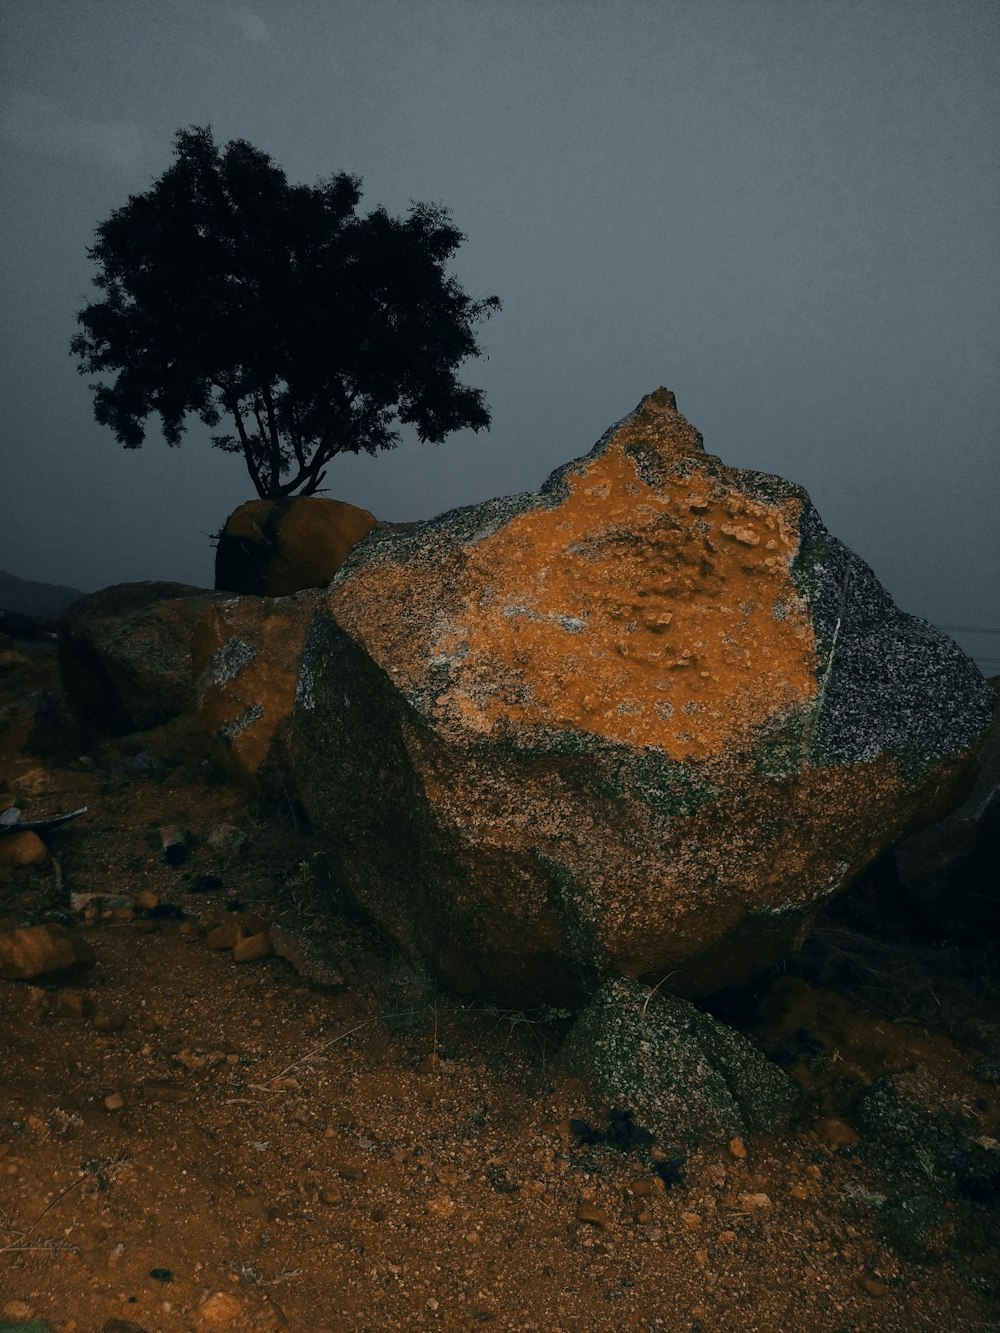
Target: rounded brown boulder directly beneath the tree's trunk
274, 549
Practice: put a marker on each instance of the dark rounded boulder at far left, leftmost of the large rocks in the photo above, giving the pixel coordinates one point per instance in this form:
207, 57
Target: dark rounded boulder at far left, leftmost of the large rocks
125, 654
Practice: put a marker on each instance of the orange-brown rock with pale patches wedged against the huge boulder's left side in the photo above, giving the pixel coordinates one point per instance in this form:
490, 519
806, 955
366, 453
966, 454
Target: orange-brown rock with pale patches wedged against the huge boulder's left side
246, 662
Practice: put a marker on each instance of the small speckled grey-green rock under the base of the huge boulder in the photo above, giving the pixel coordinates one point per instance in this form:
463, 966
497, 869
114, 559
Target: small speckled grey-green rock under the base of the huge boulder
683, 1076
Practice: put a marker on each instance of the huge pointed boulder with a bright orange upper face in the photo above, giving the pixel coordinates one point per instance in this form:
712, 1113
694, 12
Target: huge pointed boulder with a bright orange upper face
643, 722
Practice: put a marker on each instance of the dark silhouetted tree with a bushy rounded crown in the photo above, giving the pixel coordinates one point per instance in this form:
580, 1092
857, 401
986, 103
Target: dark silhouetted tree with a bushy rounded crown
230, 291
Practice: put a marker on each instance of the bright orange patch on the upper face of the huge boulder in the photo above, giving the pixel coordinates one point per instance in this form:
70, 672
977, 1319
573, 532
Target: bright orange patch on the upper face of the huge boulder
650, 610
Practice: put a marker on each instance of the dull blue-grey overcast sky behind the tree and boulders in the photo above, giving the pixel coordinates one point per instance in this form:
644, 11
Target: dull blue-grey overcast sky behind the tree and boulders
786, 211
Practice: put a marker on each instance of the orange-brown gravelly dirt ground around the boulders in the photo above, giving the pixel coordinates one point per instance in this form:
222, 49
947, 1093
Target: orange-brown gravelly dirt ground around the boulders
194, 1135
